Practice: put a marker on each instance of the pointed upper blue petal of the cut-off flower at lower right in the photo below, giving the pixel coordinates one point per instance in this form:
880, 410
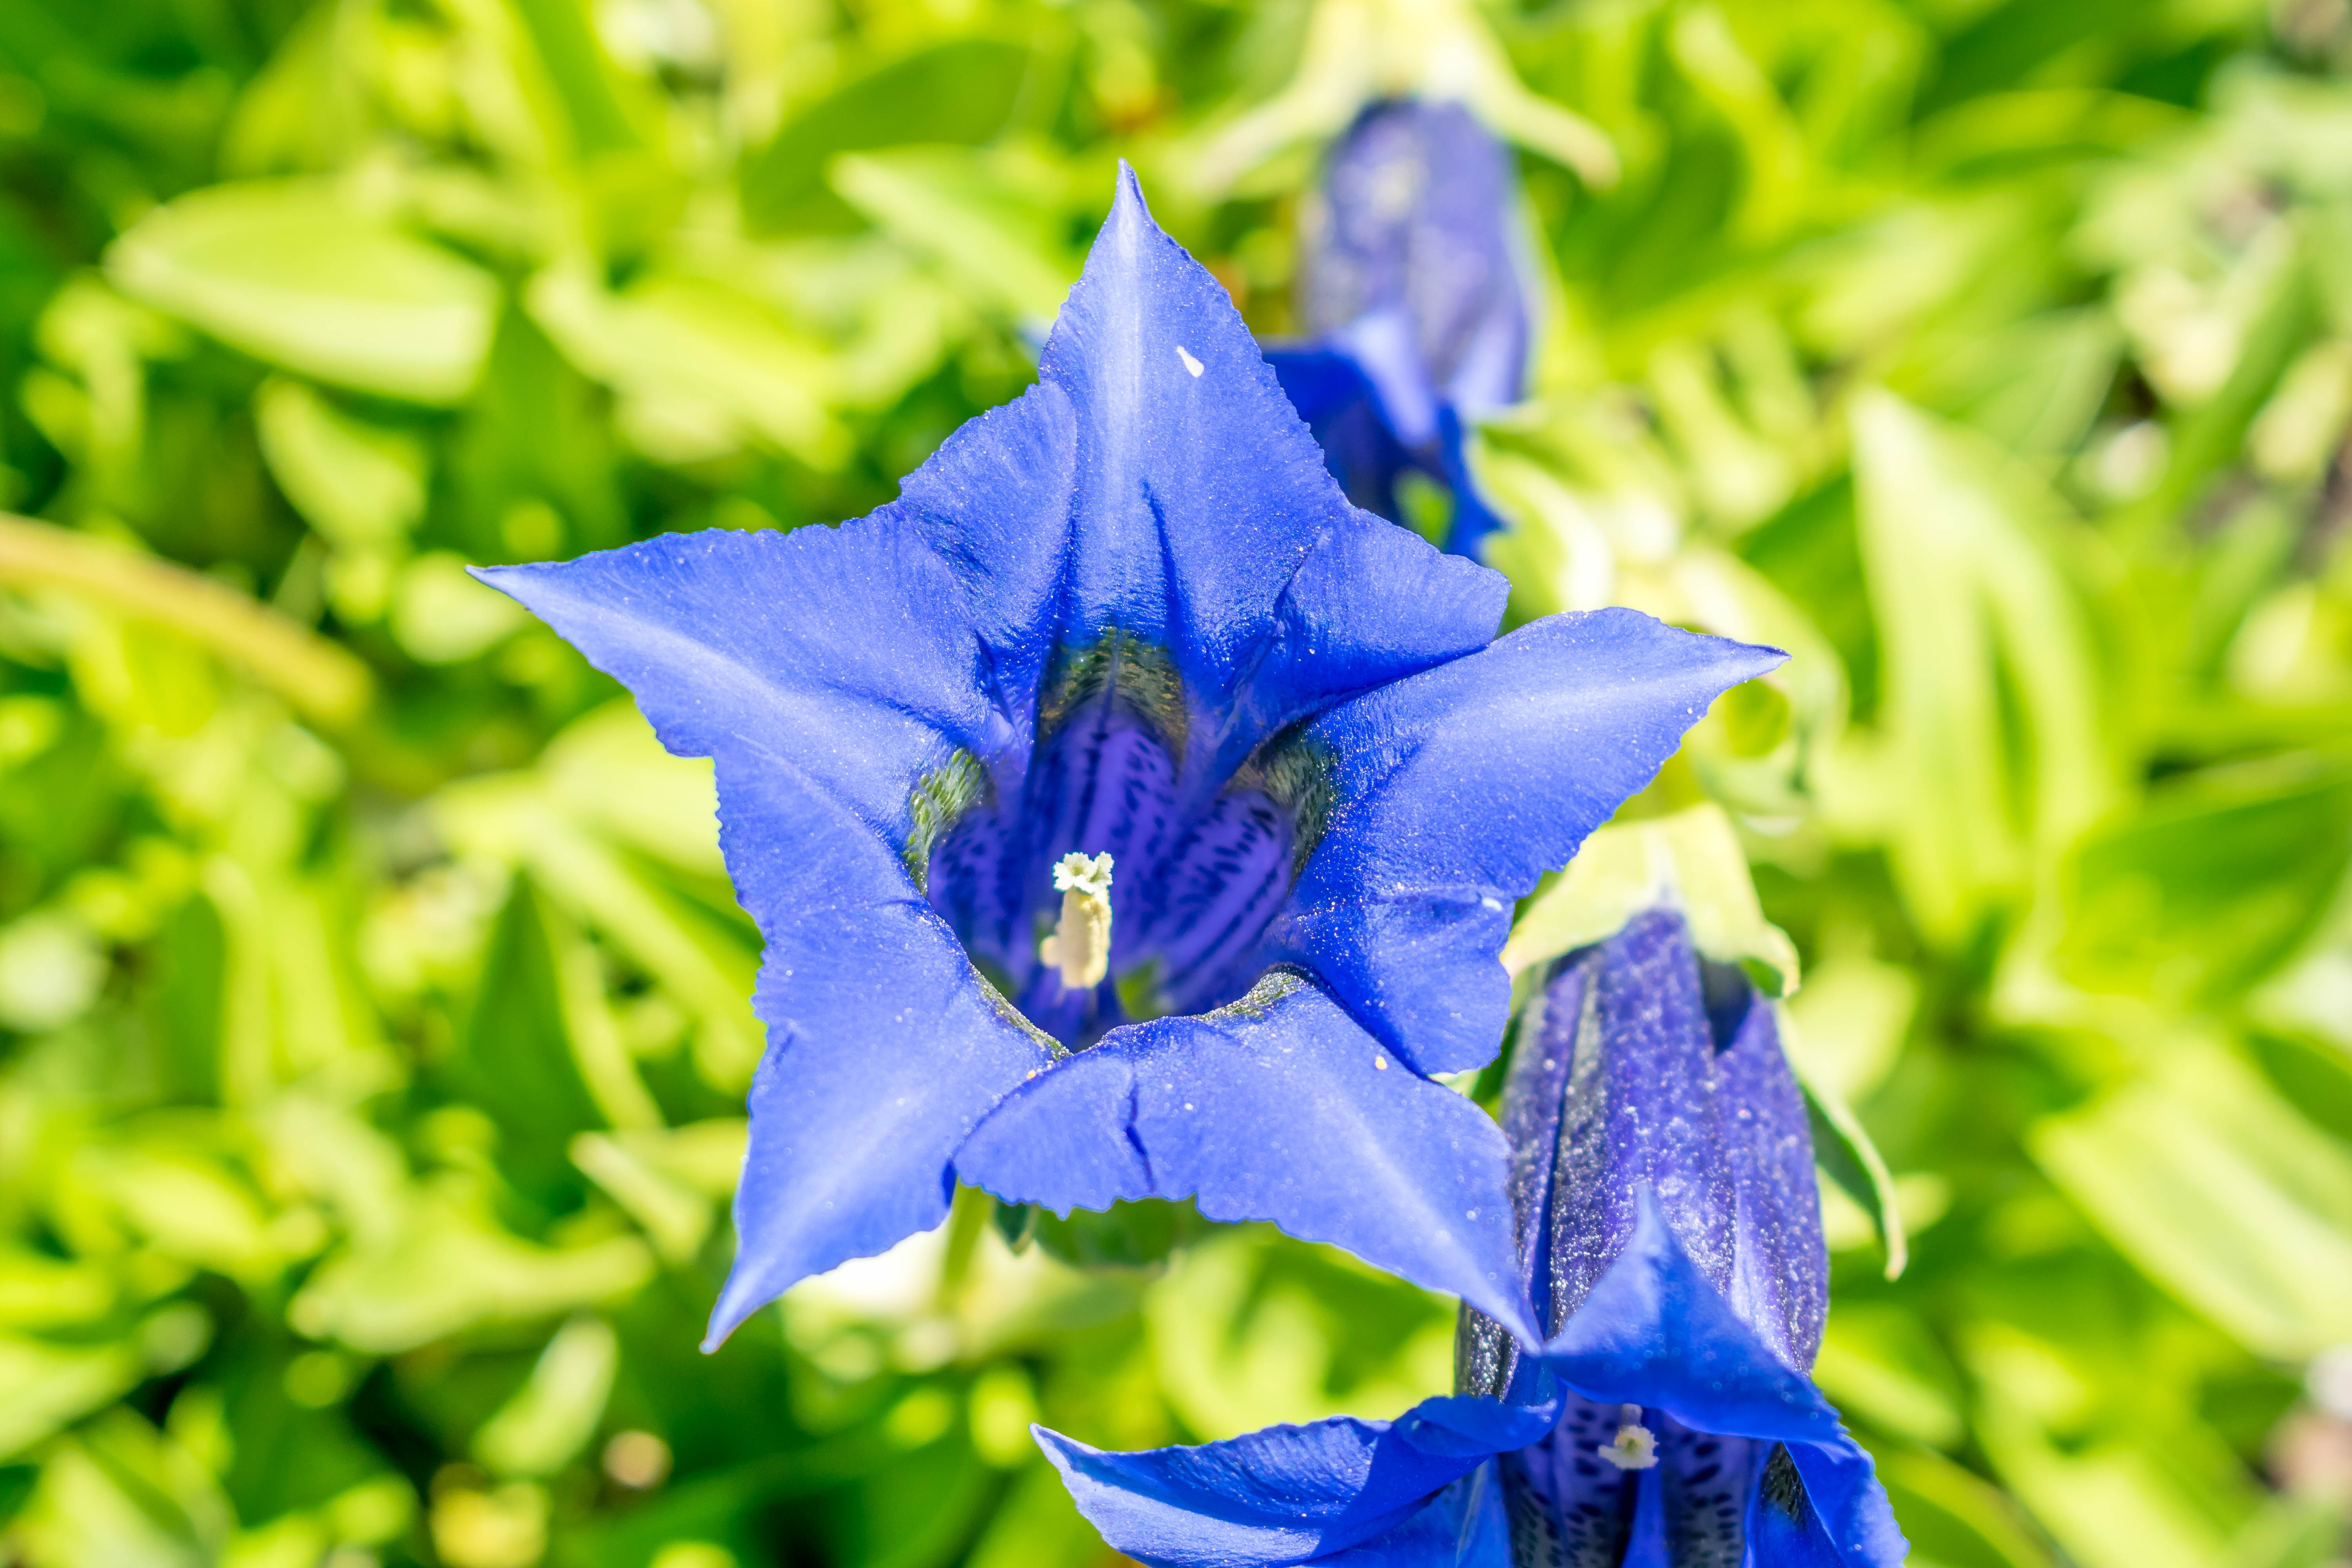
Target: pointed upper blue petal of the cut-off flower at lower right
1657, 1334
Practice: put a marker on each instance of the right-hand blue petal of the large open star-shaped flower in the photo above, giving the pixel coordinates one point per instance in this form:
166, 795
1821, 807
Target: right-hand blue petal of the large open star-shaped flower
1457, 789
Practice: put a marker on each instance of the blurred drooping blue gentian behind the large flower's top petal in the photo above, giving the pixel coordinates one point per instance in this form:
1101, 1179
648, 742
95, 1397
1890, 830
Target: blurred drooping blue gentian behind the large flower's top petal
1415, 297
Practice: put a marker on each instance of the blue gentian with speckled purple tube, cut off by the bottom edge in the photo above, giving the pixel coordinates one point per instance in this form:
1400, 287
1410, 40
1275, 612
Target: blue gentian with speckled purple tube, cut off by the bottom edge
1664, 1191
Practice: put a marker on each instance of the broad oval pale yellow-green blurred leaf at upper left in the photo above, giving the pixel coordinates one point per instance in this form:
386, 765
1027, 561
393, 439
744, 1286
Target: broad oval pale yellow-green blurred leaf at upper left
295, 276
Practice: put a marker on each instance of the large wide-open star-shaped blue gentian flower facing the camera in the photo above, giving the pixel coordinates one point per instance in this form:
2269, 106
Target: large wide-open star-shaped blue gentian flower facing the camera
1125, 815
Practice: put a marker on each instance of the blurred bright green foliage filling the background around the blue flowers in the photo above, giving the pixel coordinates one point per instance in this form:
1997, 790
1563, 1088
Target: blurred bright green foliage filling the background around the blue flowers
373, 993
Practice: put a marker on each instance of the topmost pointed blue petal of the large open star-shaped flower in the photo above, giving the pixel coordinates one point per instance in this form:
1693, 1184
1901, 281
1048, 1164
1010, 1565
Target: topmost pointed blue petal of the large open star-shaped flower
1161, 483
